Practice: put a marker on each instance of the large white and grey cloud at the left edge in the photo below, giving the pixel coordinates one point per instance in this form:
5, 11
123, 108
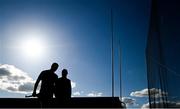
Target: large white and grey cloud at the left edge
15, 80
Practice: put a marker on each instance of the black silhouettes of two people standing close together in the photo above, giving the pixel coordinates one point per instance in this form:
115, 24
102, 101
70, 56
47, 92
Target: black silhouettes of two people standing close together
50, 84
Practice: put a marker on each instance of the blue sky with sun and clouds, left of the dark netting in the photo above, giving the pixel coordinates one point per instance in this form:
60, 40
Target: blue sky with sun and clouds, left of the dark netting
77, 35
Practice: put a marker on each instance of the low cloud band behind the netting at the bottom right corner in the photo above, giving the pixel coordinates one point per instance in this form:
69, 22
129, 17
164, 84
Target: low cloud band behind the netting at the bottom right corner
171, 104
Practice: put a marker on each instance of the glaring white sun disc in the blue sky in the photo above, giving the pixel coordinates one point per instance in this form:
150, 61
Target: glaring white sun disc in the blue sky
33, 48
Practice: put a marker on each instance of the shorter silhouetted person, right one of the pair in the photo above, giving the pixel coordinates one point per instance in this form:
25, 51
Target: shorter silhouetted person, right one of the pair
63, 88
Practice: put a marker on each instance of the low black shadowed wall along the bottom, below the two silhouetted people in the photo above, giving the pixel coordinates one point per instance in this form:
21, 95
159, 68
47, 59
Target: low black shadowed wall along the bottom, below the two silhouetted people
92, 102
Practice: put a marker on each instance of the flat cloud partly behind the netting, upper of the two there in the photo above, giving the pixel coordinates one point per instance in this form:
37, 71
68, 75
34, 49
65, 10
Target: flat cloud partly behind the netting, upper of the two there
144, 93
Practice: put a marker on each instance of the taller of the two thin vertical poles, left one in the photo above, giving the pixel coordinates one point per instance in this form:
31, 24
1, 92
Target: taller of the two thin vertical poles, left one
112, 55
